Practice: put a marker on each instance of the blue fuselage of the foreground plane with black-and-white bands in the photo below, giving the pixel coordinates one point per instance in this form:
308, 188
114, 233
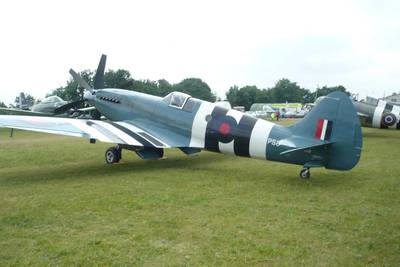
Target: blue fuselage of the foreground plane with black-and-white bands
204, 125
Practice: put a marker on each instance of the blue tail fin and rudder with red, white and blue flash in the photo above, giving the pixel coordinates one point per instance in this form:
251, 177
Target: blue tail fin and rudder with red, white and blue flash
335, 121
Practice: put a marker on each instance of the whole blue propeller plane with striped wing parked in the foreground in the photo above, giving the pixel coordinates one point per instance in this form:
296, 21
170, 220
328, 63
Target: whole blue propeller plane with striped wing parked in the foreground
329, 136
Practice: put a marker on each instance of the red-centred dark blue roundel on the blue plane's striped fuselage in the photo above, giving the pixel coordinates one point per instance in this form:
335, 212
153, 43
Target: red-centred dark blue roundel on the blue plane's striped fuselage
223, 128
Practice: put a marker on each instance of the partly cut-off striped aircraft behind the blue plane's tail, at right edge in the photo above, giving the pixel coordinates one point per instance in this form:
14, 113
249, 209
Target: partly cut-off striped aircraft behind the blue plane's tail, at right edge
378, 114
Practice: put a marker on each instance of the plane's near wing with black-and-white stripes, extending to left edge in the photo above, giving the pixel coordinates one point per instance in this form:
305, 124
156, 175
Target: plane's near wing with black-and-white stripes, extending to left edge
105, 131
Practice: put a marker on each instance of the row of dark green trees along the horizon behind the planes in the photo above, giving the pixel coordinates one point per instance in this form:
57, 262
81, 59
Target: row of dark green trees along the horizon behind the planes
283, 91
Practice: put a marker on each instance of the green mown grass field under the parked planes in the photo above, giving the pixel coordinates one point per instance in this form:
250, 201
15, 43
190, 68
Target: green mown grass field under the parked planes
60, 204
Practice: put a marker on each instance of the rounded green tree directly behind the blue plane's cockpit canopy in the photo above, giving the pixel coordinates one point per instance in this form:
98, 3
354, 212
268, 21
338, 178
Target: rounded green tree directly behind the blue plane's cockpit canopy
196, 88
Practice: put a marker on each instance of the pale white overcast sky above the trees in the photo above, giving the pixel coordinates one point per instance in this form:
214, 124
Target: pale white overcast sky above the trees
225, 43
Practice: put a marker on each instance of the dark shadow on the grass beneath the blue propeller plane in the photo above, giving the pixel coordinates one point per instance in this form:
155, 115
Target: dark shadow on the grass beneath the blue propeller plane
74, 172
